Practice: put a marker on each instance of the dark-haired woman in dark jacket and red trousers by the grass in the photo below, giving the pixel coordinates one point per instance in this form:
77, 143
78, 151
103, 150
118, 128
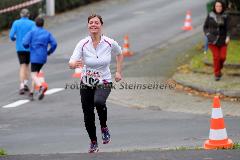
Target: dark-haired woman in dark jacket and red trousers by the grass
217, 30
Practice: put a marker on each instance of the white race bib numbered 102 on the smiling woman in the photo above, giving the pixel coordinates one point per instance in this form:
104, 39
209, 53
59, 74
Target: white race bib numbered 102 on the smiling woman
91, 77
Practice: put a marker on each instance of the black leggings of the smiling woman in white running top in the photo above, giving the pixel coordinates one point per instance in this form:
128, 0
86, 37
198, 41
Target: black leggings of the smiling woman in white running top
91, 98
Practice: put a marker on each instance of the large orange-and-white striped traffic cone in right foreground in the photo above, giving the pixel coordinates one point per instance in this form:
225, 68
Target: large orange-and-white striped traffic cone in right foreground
218, 138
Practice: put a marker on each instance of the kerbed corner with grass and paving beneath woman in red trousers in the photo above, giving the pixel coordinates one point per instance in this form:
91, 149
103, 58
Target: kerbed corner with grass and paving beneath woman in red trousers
198, 75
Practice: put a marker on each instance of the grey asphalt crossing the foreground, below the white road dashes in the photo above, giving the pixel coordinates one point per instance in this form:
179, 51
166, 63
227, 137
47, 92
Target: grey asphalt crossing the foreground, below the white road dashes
55, 125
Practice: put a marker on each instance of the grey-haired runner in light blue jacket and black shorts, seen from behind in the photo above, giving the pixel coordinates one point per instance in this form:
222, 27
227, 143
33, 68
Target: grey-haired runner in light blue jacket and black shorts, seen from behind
18, 30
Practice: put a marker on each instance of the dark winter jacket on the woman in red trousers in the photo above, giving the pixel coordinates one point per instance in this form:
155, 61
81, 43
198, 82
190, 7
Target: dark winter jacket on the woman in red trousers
216, 28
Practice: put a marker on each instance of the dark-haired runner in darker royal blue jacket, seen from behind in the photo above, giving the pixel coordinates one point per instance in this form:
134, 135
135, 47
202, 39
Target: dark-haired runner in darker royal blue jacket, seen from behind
38, 40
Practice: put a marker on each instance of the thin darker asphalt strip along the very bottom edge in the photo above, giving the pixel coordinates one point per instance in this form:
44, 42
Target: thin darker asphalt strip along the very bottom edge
138, 155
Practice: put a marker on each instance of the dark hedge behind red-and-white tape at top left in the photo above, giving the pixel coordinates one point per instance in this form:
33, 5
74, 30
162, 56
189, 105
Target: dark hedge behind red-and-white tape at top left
7, 19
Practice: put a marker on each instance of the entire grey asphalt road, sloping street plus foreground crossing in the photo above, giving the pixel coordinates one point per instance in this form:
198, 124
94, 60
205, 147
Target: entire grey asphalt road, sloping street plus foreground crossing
55, 125
